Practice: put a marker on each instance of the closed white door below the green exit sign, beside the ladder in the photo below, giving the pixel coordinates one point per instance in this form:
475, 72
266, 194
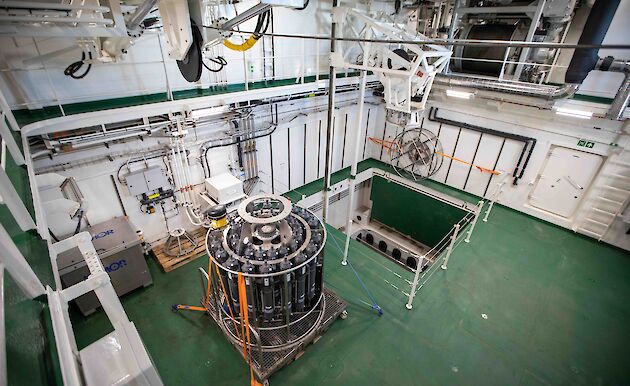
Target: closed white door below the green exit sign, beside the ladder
566, 176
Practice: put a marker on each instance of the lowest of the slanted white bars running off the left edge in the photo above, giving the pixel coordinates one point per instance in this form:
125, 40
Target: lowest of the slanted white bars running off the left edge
18, 267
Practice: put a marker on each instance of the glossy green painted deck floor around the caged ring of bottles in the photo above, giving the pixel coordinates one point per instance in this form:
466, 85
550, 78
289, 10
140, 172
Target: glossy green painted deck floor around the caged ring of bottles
555, 304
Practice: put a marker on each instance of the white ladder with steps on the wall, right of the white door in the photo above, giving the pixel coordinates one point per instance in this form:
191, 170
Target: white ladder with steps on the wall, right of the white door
608, 199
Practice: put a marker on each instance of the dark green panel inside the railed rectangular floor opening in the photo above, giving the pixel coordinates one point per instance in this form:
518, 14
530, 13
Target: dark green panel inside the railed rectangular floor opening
418, 216
